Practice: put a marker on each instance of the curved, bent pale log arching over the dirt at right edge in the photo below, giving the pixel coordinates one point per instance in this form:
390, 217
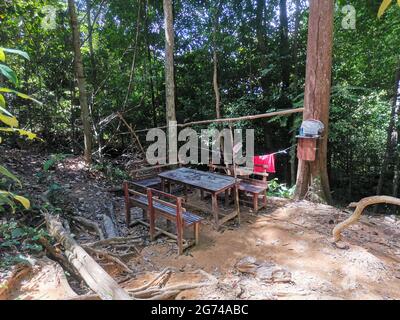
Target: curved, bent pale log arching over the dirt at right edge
360, 207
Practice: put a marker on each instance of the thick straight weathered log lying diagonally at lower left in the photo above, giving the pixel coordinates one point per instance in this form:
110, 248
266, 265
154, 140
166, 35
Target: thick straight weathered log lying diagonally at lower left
96, 278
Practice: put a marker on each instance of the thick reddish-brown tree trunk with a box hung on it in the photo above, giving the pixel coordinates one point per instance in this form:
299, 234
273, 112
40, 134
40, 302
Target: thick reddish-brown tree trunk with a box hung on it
317, 96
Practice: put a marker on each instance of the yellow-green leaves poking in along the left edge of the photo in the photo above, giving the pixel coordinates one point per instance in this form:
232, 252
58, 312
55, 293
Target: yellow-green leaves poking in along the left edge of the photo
9, 124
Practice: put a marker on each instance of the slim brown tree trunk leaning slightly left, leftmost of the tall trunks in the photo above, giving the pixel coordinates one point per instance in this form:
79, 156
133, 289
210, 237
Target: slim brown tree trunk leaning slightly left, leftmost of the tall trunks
81, 81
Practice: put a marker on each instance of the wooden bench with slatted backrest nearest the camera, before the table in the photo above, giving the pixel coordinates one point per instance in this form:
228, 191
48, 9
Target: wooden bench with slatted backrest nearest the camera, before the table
170, 207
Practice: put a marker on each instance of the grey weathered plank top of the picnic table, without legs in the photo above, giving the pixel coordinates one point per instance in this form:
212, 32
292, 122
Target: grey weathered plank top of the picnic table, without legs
208, 181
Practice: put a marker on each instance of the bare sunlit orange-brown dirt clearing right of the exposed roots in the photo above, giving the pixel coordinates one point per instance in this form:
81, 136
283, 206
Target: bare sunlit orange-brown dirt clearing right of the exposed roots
292, 238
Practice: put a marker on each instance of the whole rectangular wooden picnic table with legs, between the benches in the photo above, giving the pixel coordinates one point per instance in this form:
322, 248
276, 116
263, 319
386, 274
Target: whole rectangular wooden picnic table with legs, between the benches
208, 182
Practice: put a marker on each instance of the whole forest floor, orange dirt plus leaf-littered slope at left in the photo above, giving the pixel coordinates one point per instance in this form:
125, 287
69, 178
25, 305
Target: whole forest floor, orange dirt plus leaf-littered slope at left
284, 252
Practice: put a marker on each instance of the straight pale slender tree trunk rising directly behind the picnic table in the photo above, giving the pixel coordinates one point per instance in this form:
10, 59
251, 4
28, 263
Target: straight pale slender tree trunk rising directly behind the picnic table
170, 76
